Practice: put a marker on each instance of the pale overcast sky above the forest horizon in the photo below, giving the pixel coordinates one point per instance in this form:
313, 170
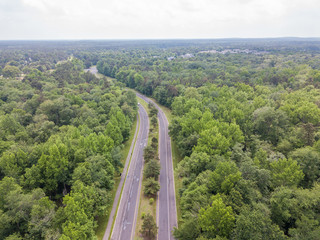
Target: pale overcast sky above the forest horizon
157, 19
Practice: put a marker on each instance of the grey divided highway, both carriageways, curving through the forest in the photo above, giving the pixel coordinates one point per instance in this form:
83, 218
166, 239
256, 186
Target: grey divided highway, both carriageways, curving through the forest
125, 223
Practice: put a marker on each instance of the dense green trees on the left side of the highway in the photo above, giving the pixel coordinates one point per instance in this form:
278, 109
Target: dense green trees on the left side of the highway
61, 134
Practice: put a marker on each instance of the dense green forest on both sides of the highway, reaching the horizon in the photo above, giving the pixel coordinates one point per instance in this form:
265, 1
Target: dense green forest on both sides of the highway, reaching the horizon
245, 121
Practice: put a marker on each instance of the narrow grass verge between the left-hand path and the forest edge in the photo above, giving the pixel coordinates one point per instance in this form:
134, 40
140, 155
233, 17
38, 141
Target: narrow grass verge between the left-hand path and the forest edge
102, 221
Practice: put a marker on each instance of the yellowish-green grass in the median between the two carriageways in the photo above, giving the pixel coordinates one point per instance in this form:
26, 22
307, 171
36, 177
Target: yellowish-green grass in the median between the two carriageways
144, 205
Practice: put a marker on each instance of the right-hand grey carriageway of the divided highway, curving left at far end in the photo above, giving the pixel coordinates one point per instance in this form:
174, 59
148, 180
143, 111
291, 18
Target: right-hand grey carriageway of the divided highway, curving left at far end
167, 211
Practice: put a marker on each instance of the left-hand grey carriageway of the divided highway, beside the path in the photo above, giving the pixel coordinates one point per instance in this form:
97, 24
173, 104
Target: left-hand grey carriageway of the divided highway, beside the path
125, 223
